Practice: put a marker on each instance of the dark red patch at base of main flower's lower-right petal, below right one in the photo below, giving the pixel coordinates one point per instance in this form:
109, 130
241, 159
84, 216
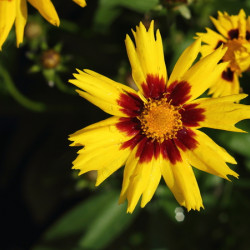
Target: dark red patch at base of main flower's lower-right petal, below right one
185, 139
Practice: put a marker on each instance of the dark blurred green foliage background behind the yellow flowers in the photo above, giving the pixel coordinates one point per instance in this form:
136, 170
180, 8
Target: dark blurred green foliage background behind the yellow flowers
44, 204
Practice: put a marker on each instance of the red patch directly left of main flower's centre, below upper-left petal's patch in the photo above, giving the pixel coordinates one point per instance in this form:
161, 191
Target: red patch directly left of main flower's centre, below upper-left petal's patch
131, 126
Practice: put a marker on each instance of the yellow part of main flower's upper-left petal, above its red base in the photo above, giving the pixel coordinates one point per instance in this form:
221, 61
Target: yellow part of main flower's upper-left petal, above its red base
101, 91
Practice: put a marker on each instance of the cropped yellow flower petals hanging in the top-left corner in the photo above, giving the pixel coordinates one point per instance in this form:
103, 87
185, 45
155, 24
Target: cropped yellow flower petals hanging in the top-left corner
16, 11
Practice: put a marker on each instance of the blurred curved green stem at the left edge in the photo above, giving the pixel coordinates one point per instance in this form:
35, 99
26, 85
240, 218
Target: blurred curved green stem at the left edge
20, 98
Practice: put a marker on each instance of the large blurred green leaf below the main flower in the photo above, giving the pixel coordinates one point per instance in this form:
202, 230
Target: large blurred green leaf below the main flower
92, 224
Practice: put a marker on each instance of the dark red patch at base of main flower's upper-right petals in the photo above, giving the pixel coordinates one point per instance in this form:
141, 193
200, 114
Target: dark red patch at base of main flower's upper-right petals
179, 92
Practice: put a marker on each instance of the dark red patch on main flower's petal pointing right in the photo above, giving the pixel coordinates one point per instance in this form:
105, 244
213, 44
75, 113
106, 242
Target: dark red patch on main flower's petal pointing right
191, 116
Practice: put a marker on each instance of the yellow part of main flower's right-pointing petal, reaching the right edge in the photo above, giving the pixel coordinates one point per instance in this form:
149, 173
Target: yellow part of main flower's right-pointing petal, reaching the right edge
223, 113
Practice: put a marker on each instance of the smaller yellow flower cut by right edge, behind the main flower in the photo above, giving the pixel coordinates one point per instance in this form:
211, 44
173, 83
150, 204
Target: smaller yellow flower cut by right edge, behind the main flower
234, 34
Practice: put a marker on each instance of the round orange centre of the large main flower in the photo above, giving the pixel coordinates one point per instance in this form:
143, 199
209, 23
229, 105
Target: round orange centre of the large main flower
160, 120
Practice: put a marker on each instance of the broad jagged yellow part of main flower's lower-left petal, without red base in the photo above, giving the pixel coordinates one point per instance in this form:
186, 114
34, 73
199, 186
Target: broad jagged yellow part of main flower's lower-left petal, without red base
101, 148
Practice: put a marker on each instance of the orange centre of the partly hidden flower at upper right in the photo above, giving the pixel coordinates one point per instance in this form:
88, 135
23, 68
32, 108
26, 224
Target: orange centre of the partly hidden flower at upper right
236, 54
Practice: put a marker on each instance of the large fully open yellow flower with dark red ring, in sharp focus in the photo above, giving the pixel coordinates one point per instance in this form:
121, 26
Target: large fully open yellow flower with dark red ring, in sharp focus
154, 132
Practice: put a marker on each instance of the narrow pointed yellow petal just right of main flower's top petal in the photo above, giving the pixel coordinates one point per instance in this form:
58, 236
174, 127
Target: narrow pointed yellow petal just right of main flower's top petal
185, 61
